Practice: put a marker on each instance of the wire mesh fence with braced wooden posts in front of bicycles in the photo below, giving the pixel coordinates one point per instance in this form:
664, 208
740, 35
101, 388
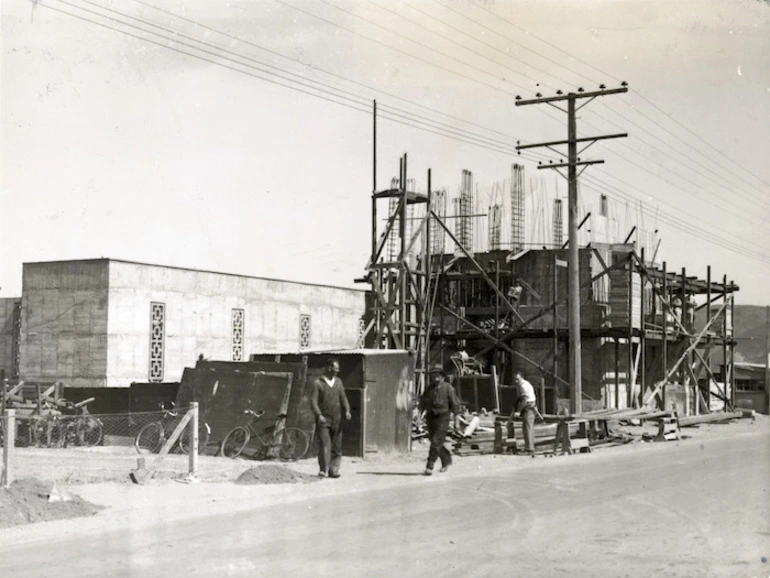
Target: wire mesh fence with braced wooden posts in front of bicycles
92, 446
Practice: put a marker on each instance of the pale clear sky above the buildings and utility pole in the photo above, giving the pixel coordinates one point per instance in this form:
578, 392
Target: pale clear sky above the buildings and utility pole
238, 137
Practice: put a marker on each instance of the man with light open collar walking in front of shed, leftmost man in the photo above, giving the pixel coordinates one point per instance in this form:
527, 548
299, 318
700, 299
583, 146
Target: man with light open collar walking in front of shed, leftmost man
328, 400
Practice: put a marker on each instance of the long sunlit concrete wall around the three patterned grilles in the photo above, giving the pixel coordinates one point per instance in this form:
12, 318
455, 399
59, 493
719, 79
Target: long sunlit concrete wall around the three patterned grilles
198, 317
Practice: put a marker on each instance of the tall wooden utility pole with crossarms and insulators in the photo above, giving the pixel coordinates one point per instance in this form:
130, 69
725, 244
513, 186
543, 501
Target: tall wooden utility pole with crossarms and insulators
573, 161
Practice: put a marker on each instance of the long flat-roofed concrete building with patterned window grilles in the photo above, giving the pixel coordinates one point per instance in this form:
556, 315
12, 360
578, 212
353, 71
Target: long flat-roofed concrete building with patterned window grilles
107, 322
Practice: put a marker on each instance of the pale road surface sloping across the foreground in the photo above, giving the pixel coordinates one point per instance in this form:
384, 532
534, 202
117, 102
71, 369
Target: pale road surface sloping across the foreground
688, 510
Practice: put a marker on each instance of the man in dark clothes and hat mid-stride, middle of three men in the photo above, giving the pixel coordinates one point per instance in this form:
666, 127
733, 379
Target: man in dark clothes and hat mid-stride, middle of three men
438, 402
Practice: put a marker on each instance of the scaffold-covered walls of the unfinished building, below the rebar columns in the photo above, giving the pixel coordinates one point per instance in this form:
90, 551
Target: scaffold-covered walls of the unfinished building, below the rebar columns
649, 352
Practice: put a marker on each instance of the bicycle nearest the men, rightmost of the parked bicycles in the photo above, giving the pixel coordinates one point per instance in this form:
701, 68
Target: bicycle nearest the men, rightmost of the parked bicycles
291, 443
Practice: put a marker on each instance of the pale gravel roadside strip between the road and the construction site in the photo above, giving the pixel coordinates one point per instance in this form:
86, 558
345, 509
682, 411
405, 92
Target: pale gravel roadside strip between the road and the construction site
98, 478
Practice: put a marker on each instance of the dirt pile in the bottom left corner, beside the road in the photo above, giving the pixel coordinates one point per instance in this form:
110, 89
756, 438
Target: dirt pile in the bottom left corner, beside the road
27, 501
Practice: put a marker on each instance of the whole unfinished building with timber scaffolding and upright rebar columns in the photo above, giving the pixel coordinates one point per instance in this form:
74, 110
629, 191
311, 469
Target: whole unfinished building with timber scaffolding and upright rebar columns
493, 306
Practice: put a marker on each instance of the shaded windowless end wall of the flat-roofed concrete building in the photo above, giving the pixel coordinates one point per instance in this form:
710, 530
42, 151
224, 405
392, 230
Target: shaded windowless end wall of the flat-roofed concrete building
64, 322
